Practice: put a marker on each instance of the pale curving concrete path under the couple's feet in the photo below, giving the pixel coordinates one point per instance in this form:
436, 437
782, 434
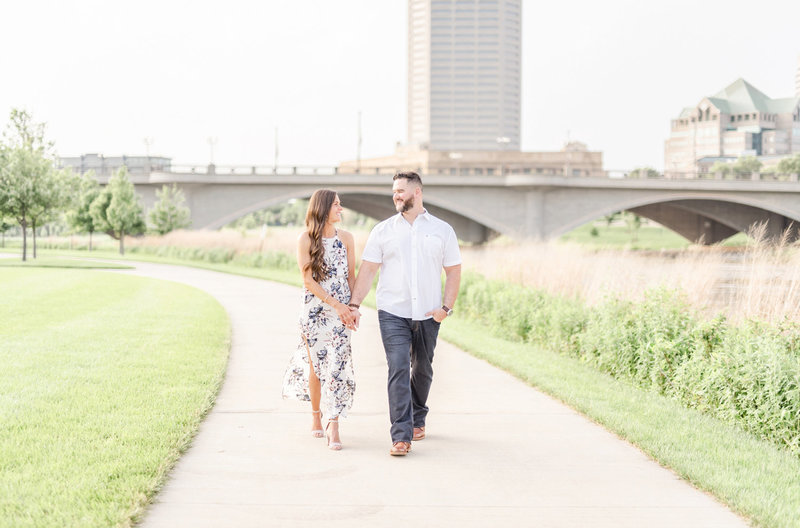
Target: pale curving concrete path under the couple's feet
498, 452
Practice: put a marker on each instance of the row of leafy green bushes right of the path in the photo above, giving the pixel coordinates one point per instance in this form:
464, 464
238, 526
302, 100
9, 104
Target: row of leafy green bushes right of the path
748, 375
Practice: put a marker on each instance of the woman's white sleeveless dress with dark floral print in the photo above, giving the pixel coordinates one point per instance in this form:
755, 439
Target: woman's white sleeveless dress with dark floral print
327, 339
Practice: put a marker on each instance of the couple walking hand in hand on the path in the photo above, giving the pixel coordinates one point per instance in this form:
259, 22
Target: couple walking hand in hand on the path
410, 249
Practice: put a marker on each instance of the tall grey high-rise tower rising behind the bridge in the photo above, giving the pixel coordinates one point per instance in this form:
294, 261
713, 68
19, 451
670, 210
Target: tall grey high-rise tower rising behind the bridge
464, 74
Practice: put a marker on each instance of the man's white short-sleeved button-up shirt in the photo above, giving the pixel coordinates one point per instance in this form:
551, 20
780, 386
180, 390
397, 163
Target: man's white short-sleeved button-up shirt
411, 257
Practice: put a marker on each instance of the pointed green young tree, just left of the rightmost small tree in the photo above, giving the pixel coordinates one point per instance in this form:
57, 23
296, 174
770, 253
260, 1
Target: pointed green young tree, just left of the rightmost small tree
117, 209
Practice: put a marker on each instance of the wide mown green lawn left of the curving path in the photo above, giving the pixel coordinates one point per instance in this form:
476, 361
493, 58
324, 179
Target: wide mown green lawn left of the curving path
105, 378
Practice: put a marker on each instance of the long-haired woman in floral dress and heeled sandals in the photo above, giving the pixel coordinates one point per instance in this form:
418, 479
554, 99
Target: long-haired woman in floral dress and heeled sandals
321, 369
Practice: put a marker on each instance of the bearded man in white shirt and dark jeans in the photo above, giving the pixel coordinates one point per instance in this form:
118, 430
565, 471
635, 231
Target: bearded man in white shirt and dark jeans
411, 249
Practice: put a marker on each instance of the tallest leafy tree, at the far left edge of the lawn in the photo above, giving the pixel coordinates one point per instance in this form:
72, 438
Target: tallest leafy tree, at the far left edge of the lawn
29, 181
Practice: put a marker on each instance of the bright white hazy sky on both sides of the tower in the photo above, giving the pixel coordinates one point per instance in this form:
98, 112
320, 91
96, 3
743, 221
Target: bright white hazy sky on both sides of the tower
105, 75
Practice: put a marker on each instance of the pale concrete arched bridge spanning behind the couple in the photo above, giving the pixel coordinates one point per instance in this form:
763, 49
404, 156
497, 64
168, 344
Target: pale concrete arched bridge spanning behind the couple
706, 210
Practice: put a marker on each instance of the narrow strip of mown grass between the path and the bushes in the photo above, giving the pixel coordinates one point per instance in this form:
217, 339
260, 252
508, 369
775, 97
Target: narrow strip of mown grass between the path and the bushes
753, 477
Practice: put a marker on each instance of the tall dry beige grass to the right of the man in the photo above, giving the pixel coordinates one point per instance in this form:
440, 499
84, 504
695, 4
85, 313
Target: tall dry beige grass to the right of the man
760, 281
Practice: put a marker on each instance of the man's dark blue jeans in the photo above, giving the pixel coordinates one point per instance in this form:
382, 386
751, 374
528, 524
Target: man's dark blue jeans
409, 353
